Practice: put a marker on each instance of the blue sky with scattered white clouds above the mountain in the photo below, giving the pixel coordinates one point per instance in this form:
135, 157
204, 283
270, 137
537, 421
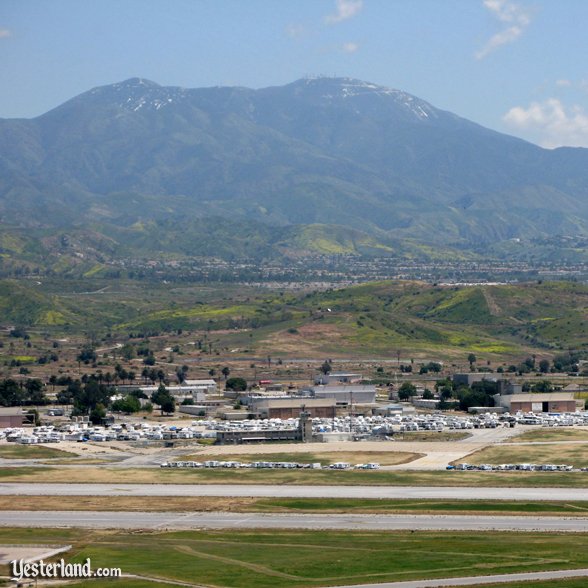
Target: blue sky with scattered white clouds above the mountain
517, 66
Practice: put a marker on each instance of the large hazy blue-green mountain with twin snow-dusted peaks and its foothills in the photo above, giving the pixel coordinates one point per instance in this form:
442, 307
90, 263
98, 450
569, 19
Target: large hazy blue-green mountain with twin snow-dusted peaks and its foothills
348, 158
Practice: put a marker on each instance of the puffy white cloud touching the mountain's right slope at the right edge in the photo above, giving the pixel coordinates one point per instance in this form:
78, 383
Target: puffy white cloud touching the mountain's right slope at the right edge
552, 123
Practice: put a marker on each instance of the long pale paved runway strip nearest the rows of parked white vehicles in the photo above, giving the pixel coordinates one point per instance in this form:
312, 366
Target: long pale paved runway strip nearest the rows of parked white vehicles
288, 491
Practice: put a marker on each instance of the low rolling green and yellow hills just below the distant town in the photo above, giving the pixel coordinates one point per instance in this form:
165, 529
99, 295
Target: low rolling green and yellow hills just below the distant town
381, 318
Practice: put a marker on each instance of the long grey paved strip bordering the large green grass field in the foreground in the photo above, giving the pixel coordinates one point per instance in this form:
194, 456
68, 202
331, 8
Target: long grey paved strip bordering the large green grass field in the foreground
220, 520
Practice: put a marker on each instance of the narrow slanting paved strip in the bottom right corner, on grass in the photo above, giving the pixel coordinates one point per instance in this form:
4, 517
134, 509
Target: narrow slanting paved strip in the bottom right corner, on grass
477, 580
